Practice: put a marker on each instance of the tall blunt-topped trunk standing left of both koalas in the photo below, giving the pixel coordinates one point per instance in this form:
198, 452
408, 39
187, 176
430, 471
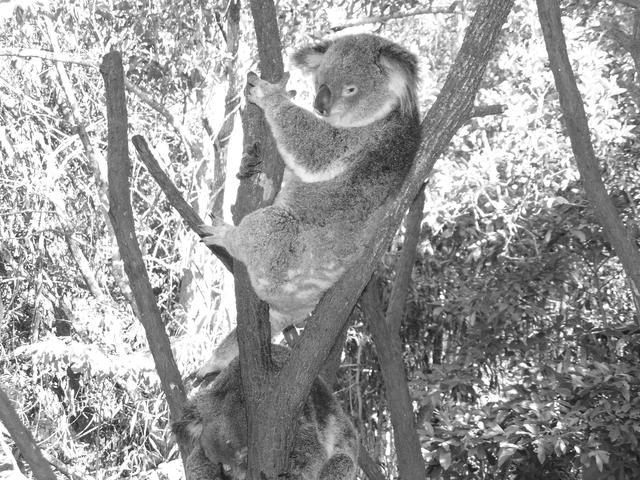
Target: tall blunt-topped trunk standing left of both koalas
119, 167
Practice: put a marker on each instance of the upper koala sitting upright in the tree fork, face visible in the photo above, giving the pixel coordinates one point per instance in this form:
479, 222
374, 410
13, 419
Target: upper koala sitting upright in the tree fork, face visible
343, 165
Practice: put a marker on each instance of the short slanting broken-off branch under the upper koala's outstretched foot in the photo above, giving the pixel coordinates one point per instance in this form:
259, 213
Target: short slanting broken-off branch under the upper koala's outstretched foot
177, 201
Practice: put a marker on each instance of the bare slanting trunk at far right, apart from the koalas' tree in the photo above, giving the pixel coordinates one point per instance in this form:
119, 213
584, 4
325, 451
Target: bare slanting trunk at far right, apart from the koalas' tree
575, 120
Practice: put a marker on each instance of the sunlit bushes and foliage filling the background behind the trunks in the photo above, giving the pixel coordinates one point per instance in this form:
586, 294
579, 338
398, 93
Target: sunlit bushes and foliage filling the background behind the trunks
520, 336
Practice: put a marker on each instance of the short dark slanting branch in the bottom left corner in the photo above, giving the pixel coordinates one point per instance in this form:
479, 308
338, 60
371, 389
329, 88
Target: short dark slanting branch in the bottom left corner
24, 440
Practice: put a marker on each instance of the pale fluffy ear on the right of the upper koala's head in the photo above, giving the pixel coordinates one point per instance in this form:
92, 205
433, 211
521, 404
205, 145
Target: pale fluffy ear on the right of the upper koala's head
401, 68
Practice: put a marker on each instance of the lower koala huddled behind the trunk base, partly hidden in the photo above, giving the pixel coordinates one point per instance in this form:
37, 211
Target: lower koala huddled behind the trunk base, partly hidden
325, 446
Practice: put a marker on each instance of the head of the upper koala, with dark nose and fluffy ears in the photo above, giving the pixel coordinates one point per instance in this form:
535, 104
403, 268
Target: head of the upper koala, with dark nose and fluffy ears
360, 79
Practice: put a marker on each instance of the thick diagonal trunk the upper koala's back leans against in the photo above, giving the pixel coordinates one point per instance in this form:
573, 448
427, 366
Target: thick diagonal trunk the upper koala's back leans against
273, 412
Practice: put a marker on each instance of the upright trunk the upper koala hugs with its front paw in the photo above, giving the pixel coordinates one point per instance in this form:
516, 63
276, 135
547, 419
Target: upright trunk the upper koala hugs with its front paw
268, 446
